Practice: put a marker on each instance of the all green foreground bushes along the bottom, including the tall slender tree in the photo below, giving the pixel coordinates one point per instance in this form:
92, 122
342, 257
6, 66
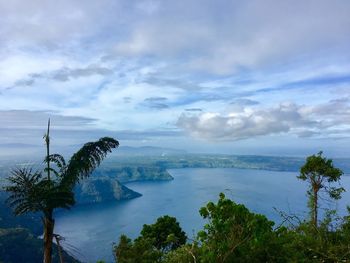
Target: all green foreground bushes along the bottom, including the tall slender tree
234, 234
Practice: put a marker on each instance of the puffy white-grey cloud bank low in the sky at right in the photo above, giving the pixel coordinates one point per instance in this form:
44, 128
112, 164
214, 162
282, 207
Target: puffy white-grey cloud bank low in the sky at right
330, 119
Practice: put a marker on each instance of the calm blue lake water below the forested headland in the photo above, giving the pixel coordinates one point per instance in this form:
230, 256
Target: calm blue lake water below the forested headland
91, 230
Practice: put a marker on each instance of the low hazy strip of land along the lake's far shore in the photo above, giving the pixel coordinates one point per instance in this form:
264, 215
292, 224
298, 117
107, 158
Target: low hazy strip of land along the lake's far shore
126, 167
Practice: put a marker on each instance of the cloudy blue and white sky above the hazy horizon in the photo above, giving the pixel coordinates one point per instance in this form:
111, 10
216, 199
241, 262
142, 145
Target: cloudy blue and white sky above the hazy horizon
238, 77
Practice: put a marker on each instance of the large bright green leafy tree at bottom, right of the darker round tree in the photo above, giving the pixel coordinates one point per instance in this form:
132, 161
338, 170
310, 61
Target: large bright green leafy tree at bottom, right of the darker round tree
234, 234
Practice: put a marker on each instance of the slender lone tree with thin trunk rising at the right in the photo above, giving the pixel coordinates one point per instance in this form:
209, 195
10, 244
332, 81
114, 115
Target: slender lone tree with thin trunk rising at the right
319, 172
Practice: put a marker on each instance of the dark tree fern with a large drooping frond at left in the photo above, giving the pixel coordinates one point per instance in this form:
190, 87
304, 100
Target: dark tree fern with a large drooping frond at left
34, 191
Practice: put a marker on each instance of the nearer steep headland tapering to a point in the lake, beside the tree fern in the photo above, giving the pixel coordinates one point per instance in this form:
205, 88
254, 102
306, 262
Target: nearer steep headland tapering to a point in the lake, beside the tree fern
98, 190
